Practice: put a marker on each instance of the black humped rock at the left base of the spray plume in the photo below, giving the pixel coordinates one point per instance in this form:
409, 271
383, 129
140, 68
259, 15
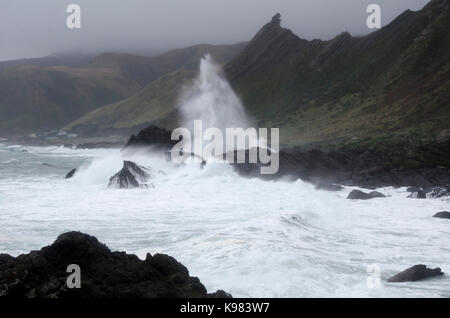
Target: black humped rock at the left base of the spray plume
152, 136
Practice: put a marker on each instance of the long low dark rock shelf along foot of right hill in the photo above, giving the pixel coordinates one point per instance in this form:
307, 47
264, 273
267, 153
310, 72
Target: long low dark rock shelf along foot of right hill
354, 167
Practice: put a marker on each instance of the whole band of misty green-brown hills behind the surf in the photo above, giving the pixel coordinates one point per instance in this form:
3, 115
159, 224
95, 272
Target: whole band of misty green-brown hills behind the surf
390, 86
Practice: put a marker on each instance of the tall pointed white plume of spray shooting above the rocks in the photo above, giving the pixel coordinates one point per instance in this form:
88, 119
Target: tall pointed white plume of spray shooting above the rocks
211, 99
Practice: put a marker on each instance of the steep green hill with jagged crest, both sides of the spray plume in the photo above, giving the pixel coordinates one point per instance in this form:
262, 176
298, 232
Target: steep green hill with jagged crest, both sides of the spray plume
389, 86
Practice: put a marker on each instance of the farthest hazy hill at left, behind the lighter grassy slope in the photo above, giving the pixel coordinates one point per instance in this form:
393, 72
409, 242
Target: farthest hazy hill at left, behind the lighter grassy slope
41, 95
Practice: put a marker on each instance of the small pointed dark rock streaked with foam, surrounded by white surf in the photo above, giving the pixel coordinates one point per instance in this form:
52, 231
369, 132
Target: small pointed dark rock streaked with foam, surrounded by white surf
130, 176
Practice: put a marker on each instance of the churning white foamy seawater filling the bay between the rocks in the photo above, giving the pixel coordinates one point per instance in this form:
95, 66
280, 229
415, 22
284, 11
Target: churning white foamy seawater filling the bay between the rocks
250, 237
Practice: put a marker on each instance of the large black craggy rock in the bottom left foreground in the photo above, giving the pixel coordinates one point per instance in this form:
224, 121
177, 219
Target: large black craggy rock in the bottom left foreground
103, 273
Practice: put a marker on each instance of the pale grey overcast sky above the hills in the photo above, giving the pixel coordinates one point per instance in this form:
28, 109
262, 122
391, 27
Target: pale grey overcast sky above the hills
34, 28
